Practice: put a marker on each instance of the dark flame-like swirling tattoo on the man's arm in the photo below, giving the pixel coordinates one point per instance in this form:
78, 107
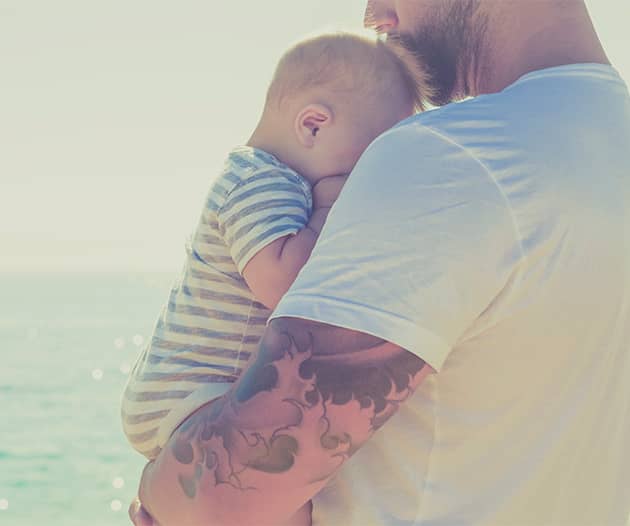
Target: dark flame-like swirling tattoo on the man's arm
309, 398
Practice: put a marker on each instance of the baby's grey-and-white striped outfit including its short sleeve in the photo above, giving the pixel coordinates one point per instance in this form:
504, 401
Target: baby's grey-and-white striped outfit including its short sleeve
211, 323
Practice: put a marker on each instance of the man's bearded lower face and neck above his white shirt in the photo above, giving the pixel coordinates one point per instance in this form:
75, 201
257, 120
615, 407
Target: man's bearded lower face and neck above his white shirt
474, 47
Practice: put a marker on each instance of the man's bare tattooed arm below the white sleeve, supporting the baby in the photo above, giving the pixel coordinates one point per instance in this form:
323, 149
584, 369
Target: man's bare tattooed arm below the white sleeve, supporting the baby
308, 400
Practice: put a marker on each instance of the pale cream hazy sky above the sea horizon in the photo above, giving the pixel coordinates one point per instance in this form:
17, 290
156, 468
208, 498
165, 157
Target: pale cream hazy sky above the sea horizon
115, 117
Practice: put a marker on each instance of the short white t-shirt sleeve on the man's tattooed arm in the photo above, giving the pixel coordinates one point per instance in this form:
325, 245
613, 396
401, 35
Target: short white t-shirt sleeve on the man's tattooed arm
419, 244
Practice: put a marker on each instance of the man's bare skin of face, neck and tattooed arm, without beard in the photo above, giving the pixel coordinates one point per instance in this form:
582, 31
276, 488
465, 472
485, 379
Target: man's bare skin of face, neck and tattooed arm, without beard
314, 394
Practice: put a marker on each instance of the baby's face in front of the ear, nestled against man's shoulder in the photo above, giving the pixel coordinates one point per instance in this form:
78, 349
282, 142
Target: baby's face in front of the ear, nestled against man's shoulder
354, 131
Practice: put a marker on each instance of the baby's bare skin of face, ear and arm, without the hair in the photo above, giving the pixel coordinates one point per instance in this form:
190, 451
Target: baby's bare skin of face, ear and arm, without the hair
320, 140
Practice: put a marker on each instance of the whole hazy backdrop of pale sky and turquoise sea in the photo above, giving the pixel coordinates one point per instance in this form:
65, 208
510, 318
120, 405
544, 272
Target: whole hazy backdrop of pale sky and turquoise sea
114, 118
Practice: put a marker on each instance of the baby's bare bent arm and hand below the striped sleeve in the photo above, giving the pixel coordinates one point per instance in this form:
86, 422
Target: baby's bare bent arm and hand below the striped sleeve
270, 273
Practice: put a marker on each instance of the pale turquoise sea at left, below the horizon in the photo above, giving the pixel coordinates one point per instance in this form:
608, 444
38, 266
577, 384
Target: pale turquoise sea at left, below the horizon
68, 343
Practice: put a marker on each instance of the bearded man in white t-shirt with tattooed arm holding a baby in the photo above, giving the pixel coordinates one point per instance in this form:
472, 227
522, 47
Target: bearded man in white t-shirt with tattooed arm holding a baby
487, 242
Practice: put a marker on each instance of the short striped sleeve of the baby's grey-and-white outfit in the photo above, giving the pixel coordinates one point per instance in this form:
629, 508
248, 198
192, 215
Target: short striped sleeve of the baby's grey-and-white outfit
261, 209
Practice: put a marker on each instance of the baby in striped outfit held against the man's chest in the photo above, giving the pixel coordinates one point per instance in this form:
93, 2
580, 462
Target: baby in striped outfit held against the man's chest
330, 97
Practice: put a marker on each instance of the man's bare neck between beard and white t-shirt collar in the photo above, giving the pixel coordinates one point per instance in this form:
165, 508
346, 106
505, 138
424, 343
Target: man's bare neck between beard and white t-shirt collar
540, 36
